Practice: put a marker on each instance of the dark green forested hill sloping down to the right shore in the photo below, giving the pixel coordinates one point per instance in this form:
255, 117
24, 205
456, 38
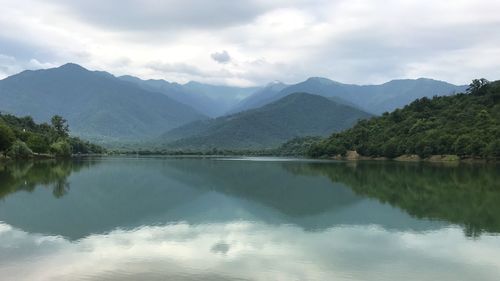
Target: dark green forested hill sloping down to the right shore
467, 125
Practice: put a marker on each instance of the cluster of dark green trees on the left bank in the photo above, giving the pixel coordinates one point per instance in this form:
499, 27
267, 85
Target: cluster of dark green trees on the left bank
21, 137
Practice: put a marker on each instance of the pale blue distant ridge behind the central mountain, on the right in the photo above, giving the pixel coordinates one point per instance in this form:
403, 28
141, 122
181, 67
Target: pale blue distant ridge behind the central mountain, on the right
373, 98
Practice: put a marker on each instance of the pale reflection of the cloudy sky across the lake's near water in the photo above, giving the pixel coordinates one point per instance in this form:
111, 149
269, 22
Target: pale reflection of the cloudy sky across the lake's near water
250, 251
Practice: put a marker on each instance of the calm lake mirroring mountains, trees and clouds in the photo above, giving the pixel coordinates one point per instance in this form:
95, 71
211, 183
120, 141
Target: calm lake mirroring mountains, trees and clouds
157, 218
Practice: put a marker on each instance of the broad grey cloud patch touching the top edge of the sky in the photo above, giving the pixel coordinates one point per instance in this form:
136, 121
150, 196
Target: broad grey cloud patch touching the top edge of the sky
167, 14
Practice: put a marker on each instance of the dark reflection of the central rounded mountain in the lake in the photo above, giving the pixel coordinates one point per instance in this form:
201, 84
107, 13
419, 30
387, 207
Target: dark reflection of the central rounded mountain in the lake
264, 182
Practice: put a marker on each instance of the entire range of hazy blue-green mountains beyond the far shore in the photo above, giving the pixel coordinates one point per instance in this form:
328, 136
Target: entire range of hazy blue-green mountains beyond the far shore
104, 108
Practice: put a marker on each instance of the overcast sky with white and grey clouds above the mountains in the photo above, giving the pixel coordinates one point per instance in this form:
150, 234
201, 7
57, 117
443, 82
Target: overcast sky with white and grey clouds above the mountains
254, 42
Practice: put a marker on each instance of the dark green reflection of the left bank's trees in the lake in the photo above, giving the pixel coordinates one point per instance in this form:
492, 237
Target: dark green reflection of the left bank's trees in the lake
28, 175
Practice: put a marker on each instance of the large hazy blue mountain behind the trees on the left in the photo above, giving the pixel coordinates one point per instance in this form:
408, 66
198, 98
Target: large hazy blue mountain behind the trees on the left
97, 105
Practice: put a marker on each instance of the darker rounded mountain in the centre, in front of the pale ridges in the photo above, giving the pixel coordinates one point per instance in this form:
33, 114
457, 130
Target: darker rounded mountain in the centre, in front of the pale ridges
295, 115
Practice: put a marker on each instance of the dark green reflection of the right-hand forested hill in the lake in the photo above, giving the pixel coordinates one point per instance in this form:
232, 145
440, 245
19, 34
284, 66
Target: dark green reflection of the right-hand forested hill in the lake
468, 195
